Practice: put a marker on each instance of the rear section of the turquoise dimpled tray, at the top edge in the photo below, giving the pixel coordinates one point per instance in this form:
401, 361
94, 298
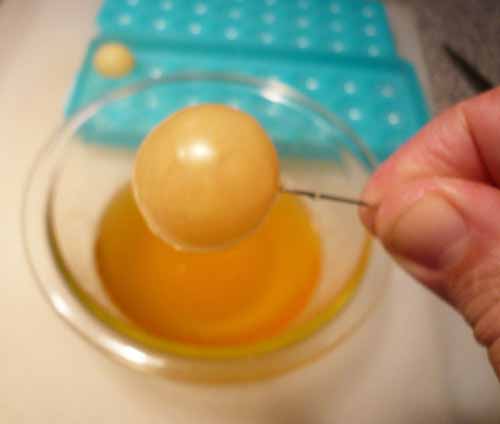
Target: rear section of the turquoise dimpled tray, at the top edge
345, 27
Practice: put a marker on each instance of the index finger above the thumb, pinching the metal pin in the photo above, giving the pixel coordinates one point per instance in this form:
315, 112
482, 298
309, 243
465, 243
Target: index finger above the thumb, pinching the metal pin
463, 142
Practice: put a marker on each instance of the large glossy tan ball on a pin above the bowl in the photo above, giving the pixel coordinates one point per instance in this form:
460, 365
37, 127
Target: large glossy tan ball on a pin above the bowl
205, 177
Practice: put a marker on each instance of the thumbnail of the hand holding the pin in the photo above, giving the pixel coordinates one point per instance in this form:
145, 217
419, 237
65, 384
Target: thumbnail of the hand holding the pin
431, 233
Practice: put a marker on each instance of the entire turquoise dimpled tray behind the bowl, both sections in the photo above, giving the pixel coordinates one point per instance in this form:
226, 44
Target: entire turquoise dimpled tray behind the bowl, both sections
326, 49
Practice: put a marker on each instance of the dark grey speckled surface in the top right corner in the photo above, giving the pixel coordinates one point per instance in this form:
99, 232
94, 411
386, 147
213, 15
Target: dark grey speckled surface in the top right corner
472, 27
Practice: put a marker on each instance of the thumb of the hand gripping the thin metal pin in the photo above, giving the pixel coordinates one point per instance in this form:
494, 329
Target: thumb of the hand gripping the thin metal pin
447, 234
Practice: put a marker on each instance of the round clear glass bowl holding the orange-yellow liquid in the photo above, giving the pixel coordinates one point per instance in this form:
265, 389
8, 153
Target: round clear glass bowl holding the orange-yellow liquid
89, 158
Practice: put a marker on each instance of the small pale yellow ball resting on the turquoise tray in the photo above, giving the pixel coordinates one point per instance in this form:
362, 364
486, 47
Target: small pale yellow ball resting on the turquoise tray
113, 60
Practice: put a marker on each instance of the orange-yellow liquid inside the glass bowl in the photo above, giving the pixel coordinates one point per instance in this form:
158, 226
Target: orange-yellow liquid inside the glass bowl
246, 293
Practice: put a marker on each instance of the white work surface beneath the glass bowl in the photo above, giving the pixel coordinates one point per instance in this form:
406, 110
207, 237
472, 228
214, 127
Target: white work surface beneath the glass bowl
414, 362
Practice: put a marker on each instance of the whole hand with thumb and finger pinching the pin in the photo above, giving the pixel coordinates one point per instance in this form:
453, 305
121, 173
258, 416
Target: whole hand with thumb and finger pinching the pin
437, 211
